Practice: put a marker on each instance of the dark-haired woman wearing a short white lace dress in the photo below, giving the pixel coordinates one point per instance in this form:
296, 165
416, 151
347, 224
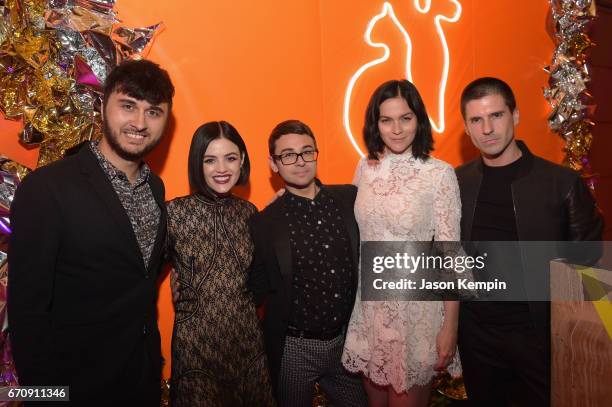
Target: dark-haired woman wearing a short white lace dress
404, 195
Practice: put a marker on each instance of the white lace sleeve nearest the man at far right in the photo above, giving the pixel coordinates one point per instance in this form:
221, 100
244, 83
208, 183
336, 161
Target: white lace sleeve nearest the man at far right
447, 207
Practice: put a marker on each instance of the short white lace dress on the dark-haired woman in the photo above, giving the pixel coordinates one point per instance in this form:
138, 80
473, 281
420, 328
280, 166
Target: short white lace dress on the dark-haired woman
401, 199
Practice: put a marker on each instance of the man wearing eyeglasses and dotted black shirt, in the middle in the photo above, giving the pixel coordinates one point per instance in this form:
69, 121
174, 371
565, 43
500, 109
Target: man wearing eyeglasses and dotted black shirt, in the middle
305, 272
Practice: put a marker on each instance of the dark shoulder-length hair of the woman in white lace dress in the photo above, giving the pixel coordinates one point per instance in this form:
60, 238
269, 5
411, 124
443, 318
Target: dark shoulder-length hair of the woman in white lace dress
423, 140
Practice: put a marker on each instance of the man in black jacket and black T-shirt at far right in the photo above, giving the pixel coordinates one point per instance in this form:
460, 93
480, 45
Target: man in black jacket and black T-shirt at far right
511, 195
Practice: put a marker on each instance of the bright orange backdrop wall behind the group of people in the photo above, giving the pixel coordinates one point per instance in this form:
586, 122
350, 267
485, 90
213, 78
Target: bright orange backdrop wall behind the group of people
255, 63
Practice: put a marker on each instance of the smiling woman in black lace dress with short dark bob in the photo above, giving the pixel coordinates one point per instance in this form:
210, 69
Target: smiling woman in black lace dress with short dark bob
217, 351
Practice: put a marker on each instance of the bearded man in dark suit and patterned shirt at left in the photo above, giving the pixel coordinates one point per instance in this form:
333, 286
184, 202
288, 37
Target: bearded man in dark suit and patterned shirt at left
86, 250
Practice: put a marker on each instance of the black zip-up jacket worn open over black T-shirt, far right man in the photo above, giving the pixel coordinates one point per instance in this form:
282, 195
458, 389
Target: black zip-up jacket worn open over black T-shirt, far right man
551, 203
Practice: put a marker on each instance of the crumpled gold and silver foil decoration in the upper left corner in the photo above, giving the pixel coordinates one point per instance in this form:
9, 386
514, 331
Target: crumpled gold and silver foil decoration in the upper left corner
54, 58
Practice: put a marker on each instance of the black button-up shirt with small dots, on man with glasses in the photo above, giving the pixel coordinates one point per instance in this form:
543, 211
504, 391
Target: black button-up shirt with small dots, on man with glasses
322, 292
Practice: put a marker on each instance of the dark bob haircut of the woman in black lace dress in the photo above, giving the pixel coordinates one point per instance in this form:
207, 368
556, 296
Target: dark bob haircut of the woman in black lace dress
200, 141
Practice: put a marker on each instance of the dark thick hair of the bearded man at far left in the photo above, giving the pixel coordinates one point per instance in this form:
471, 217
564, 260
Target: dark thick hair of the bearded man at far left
142, 80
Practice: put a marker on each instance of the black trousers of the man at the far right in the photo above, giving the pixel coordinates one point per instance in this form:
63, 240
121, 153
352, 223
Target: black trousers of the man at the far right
504, 365
